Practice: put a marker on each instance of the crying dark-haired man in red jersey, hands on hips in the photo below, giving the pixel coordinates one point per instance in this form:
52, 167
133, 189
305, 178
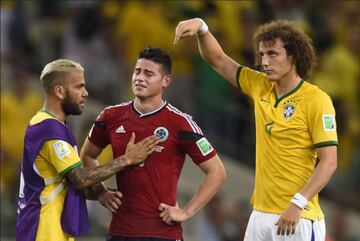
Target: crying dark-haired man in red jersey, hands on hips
149, 210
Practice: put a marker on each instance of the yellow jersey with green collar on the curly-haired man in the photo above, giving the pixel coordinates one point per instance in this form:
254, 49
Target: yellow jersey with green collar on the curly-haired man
288, 130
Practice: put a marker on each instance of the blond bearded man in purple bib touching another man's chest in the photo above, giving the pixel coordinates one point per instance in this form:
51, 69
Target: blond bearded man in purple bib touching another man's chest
51, 205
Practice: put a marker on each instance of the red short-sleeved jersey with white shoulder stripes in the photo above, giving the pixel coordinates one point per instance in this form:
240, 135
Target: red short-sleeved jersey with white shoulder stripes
147, 185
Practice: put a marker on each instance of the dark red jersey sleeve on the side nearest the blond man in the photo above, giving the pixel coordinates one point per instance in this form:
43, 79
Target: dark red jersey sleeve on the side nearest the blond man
98, 134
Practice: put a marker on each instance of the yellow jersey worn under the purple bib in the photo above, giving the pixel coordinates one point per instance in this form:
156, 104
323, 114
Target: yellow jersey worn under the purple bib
55, 159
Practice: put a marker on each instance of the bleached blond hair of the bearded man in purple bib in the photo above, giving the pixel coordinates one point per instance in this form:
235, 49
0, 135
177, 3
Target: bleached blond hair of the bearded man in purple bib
54, 73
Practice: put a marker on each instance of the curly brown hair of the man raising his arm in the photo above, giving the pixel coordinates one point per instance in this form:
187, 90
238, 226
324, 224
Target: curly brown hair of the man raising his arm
296, 43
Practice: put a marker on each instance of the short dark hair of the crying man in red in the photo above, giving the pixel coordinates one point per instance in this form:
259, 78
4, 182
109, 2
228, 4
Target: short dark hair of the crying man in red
157, 55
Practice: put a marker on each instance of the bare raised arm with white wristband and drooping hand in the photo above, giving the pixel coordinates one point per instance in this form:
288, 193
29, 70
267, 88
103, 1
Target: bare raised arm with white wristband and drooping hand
209, 48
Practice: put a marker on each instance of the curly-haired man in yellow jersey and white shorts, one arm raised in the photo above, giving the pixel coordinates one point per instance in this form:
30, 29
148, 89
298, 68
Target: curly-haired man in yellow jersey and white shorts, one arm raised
296, 140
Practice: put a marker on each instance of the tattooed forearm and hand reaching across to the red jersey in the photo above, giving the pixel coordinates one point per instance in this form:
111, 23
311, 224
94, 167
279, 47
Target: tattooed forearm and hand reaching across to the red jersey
84, 177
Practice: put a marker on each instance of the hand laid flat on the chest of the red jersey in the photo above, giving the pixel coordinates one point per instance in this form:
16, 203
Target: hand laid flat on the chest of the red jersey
137, 153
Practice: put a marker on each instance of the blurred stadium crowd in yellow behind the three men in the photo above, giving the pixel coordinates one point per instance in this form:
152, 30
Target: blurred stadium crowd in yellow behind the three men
105, 37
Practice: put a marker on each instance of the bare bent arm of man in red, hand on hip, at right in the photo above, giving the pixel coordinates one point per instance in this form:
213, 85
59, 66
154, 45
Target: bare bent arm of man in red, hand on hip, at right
215, 176
